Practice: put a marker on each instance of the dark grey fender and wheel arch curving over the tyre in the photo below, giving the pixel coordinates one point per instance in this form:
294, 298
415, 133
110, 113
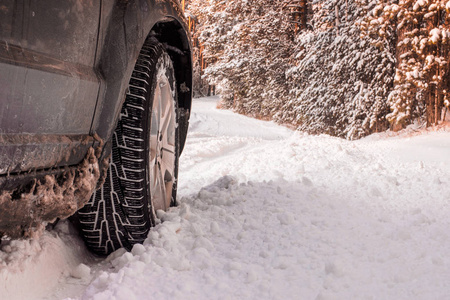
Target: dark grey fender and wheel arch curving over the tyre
126, 25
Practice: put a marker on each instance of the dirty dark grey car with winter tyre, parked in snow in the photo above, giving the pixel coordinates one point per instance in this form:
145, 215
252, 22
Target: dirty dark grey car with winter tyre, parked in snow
95, 99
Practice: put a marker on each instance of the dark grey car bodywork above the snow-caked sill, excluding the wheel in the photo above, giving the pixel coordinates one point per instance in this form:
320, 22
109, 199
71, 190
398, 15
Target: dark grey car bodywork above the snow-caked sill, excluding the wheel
64, 72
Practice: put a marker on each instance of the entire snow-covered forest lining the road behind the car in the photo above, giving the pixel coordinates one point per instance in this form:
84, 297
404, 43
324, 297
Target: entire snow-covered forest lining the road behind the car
347, 68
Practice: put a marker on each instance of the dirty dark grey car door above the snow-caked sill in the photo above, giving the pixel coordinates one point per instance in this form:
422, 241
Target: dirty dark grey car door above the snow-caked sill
48, 83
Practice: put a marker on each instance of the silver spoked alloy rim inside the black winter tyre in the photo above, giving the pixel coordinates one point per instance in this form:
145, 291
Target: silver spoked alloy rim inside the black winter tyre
162, 145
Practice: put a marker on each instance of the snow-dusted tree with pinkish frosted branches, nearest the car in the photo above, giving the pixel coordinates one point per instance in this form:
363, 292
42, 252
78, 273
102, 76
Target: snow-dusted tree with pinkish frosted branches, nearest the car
247, 46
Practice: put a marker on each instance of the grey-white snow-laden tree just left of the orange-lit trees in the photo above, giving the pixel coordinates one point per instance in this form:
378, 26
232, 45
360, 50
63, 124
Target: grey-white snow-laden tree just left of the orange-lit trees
340, 82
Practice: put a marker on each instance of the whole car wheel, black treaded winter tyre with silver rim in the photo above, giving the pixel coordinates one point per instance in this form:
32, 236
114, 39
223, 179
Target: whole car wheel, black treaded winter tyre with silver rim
143, 170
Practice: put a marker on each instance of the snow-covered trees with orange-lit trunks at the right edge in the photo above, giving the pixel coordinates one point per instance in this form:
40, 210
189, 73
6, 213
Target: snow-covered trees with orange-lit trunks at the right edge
420, 29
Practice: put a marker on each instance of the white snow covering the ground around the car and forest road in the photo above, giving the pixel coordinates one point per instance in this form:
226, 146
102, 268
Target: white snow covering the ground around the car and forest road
268, 213
